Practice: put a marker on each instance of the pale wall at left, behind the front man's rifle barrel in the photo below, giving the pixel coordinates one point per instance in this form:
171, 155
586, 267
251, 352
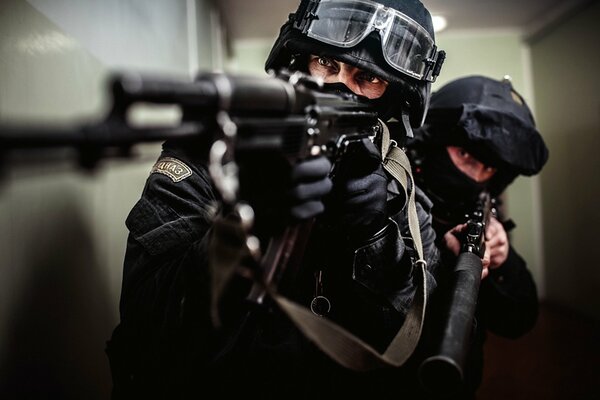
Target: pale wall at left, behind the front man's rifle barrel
63, 235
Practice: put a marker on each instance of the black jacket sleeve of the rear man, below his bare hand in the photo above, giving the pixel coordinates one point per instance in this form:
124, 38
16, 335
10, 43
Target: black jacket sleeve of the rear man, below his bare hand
508, 302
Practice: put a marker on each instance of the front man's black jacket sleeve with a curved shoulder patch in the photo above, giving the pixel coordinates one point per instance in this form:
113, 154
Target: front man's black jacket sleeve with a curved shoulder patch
165, 261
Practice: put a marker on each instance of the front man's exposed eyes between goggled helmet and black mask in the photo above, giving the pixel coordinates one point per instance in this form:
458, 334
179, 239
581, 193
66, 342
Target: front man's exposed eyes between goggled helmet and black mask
360, 82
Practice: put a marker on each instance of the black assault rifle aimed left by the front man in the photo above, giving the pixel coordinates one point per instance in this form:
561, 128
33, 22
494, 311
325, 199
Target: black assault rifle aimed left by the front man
289, 113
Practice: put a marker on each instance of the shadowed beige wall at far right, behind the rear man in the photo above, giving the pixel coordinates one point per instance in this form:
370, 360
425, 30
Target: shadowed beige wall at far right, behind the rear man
567, 89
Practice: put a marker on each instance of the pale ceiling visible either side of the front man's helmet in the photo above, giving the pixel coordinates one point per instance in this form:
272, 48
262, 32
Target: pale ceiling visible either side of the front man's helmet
257, 19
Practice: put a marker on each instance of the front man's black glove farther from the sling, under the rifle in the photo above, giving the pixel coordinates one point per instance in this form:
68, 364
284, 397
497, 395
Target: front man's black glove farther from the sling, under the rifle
280, 193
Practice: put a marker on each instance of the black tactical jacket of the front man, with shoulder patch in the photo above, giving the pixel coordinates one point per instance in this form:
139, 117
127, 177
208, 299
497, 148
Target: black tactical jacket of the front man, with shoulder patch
166, 345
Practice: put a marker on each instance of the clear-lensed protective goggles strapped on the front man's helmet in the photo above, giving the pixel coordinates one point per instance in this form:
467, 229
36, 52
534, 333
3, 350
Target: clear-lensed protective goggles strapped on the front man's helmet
406, 45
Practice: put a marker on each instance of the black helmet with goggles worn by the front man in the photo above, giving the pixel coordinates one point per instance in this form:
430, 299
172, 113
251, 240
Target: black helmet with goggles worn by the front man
408, 59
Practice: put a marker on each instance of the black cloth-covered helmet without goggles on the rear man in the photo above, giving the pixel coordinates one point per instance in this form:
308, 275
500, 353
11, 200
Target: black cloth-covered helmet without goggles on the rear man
490, 120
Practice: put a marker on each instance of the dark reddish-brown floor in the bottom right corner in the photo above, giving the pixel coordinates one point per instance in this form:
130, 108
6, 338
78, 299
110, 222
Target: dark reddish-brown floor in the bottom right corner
558, 359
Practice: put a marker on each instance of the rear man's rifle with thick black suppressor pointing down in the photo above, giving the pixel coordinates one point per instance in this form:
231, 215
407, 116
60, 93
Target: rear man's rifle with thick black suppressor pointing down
443, 372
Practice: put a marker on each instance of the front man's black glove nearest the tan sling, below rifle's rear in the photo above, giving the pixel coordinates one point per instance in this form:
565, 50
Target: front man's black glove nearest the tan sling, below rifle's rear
357, 203
